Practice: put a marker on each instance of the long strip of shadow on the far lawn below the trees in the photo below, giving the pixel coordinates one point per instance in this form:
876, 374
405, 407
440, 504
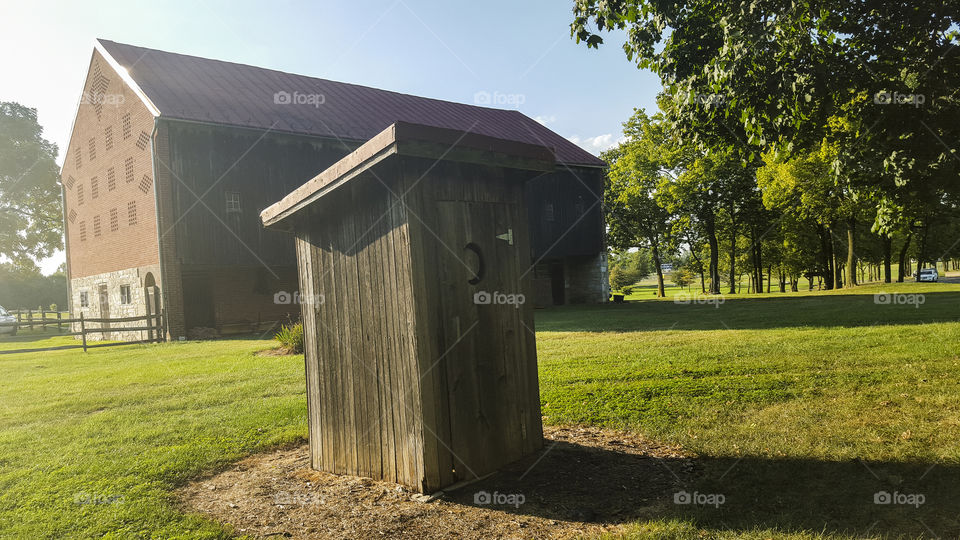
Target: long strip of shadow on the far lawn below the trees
713, 313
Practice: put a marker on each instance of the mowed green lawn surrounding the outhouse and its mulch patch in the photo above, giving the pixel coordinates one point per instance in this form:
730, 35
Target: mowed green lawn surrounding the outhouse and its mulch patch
800, 408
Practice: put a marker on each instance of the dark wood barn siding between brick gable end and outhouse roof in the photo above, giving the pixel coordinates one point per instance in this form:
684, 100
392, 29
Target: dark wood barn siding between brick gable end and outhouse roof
209, 161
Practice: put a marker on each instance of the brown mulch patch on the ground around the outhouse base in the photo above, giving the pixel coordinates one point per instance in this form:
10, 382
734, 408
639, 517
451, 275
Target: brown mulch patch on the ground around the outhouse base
586, 481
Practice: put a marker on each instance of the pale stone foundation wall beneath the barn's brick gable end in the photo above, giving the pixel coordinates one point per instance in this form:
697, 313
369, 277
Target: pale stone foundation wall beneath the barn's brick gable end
116, 308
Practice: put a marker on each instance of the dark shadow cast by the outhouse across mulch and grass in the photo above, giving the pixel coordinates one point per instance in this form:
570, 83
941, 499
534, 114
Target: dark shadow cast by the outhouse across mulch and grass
571, 482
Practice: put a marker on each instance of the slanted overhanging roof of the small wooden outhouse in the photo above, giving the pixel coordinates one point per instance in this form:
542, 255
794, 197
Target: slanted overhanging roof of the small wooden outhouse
413, 140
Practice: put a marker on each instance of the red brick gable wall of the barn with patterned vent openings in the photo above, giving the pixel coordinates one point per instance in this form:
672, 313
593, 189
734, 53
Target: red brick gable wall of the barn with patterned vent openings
108, 179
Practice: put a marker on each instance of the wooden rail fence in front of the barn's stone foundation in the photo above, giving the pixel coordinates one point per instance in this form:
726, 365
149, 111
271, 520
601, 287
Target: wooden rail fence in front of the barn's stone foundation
154, 326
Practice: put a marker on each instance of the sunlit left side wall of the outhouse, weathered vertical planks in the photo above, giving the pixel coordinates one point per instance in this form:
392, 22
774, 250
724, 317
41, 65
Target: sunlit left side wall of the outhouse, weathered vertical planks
362, 380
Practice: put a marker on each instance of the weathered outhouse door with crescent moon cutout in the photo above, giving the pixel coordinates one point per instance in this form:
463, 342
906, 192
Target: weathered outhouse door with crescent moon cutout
488, 363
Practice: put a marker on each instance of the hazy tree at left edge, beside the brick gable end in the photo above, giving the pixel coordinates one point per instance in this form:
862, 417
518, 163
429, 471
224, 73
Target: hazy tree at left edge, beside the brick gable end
31, 219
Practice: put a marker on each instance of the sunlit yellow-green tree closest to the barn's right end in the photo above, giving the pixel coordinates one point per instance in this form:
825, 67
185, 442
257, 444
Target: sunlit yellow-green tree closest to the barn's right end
638, 167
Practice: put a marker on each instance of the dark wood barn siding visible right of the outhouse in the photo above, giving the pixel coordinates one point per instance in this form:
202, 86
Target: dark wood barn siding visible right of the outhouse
577, 226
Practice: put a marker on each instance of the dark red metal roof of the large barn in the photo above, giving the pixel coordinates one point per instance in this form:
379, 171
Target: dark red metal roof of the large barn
199, 89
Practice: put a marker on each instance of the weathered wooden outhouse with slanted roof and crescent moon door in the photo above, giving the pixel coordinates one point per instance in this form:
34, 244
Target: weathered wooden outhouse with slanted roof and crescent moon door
413, 258
